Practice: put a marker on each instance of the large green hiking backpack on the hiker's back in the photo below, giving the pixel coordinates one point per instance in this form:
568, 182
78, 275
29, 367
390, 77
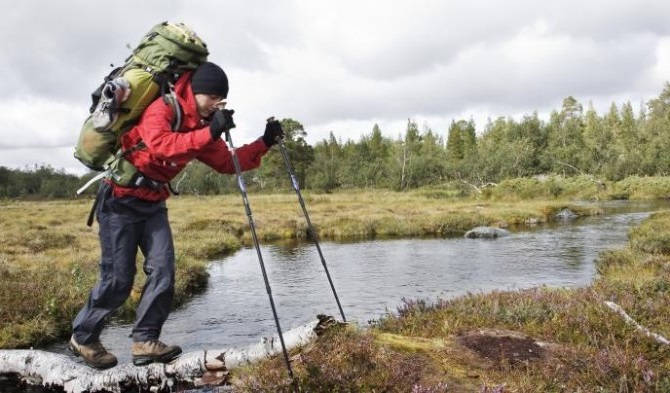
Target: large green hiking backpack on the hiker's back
156, 63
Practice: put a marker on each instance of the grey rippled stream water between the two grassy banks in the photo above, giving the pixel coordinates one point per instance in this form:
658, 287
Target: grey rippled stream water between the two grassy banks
373, 277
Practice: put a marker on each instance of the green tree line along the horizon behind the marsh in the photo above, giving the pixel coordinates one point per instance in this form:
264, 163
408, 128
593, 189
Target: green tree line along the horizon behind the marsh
573, 141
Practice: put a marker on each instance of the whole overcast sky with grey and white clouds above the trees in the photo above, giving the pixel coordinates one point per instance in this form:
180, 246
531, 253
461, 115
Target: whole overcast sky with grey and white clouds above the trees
335, 66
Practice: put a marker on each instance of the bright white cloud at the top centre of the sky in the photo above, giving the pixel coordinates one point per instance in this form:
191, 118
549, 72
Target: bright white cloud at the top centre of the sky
416, 39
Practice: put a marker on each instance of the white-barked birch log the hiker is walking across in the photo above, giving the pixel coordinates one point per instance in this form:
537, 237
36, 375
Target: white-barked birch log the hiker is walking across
199, 368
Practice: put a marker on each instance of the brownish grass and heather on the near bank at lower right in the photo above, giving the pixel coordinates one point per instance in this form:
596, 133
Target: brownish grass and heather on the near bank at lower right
586, 347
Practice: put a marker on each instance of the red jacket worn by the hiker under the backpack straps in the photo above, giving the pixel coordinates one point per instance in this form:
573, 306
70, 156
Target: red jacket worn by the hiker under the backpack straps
167, 152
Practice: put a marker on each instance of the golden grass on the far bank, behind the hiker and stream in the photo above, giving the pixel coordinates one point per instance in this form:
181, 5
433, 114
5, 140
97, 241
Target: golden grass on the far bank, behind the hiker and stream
49, 257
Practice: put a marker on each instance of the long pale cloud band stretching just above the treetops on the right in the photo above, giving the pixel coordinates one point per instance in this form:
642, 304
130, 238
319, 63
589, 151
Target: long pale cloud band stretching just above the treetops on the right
489, 79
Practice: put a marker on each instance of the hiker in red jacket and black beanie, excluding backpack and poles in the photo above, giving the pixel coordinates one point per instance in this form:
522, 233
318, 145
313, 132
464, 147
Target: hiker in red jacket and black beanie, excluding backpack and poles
132, 217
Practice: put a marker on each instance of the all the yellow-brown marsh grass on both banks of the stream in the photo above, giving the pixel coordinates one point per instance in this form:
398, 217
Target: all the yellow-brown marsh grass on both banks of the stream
48, 263
